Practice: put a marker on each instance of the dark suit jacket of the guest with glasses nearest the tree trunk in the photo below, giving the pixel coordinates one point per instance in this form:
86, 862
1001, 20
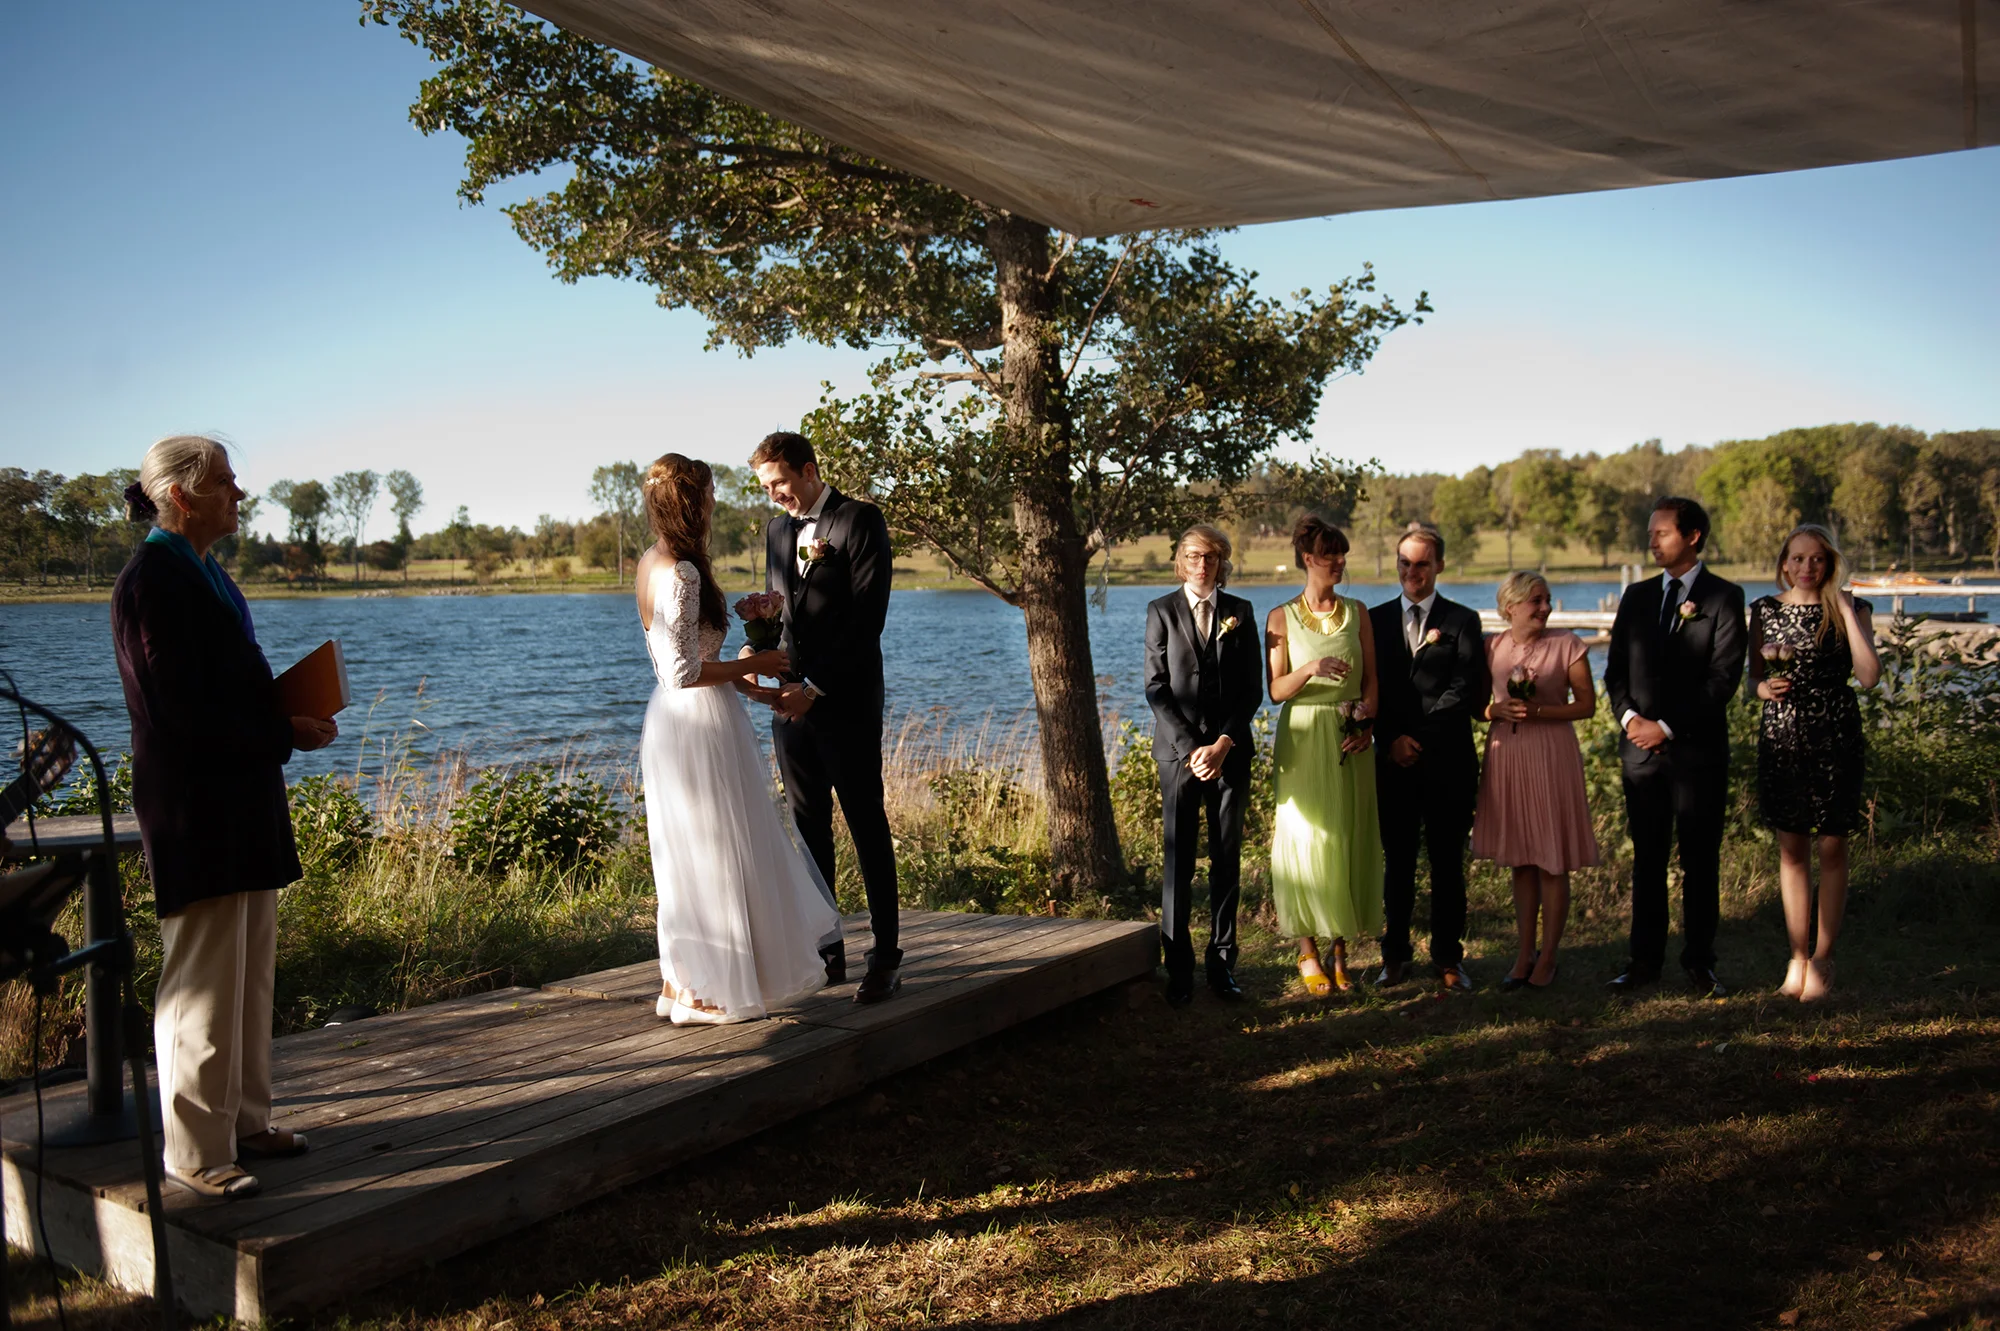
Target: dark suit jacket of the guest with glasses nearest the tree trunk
1177, 670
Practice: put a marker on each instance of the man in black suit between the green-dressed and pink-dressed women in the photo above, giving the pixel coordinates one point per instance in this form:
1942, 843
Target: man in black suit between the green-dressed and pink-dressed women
1433, 661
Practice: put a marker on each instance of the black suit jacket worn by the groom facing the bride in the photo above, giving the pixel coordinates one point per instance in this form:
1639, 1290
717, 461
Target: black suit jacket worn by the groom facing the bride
837, 609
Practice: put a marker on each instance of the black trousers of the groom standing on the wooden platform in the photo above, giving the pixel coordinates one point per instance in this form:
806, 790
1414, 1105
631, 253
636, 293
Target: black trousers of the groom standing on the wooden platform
825, 754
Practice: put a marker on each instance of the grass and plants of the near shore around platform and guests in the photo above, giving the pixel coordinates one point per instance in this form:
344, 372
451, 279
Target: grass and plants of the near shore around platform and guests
1389, 1158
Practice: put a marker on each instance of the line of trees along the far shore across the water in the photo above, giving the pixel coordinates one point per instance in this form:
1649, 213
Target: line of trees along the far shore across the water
1893, 495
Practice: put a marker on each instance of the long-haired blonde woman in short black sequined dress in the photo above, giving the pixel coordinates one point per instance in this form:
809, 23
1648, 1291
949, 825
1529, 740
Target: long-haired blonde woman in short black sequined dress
1805, 645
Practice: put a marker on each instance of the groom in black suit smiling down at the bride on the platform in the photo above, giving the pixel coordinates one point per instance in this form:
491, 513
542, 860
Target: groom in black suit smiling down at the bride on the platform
829, 557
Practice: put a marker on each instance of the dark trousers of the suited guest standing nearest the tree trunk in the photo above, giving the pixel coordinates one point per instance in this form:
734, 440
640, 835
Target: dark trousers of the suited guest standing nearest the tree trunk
1185, 804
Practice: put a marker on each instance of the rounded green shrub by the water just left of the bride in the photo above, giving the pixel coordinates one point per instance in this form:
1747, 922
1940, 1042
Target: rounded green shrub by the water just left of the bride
533, 818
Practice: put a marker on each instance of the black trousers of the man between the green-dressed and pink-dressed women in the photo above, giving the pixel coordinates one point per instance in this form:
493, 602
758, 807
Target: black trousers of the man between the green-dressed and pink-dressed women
1427, 804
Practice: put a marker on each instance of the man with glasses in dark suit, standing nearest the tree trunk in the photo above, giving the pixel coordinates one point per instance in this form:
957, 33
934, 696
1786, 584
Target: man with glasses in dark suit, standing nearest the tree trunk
1205, 682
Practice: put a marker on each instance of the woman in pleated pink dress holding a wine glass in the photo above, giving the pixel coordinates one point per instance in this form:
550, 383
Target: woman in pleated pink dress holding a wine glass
1533, 814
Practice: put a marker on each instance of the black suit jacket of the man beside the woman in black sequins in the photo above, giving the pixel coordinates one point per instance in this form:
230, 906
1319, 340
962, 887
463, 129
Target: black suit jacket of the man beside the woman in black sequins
1683, 676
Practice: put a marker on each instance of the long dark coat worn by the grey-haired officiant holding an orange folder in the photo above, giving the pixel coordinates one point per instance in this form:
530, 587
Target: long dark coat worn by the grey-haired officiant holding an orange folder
209, 740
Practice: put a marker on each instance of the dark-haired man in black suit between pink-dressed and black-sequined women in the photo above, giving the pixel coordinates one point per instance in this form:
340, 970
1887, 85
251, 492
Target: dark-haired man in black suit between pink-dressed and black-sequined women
1677, 659
